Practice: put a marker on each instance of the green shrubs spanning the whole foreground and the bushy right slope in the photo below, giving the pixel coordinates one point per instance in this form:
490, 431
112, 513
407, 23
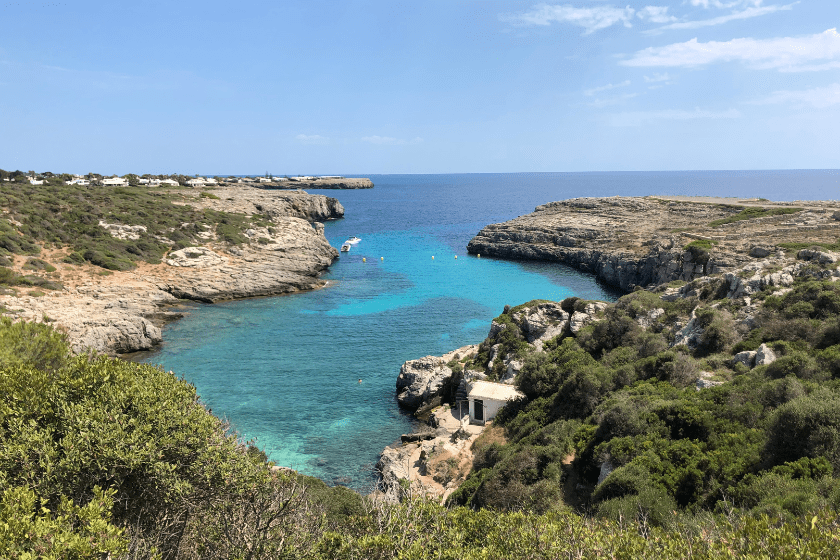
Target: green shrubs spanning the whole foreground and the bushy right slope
106, 458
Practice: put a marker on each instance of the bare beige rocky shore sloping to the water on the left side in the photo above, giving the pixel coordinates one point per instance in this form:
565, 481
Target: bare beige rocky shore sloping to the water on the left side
122, 312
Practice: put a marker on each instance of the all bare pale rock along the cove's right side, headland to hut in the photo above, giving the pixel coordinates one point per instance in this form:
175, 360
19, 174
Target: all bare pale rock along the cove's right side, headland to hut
630, 243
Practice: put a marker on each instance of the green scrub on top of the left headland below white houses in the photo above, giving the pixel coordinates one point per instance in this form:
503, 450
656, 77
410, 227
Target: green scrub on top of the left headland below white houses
58, 215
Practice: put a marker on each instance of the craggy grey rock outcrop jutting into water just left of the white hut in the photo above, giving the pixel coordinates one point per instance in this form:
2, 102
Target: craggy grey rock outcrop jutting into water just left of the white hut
423, 379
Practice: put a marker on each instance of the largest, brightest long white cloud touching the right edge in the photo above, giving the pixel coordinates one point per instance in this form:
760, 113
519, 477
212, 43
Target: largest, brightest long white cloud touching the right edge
820, 51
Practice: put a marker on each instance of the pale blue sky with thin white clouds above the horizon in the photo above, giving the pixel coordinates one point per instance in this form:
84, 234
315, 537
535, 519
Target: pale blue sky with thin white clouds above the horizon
422, 86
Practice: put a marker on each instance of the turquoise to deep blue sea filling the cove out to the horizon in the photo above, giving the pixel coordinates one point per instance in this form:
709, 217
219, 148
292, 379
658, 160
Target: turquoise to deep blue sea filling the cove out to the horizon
310, 378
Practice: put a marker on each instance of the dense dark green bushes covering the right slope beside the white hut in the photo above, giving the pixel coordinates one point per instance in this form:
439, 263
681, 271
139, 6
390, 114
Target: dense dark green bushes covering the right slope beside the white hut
619, 400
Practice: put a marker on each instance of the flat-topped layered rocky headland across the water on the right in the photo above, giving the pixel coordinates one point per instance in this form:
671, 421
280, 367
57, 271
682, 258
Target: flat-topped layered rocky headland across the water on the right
644, 241
